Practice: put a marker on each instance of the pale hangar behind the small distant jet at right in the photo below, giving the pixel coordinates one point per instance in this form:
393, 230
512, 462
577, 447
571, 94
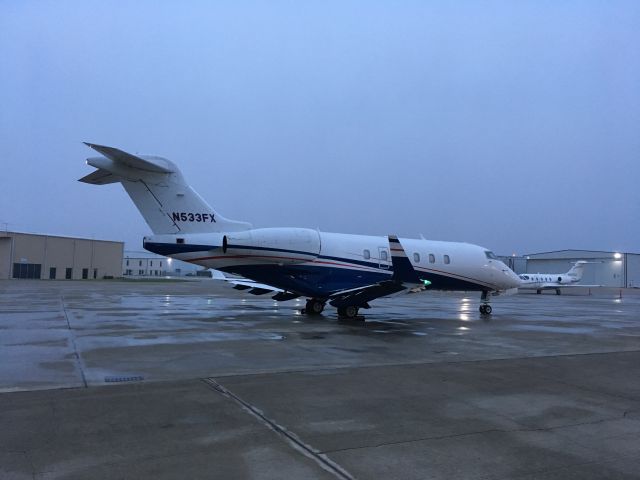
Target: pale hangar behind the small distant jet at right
609, 269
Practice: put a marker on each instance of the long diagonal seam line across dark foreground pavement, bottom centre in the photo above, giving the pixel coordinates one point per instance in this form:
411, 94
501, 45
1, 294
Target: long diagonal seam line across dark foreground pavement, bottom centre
292, 439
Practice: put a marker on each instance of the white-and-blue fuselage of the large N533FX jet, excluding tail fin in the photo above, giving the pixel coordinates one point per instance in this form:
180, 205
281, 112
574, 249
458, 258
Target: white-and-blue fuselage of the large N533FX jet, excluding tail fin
327, 262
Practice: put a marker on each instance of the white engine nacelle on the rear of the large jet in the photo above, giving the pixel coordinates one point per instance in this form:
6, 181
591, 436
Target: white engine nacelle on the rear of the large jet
274, 245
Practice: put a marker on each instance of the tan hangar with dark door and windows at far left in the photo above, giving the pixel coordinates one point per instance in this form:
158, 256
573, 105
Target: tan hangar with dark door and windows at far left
28, 255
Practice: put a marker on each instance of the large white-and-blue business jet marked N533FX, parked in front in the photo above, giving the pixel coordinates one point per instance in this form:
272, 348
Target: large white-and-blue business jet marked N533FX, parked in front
346, 271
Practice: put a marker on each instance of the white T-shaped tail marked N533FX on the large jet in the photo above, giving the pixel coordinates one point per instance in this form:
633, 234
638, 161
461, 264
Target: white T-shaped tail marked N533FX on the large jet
157, 187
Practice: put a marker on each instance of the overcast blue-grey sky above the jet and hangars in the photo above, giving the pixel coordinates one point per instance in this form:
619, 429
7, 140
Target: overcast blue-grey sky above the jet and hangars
514, 125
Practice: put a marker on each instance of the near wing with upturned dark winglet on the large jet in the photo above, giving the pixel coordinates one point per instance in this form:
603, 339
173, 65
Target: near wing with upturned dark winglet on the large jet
404, 278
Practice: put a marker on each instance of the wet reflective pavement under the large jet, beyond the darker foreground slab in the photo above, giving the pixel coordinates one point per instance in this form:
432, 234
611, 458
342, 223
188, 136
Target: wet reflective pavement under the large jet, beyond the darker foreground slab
65, 333
